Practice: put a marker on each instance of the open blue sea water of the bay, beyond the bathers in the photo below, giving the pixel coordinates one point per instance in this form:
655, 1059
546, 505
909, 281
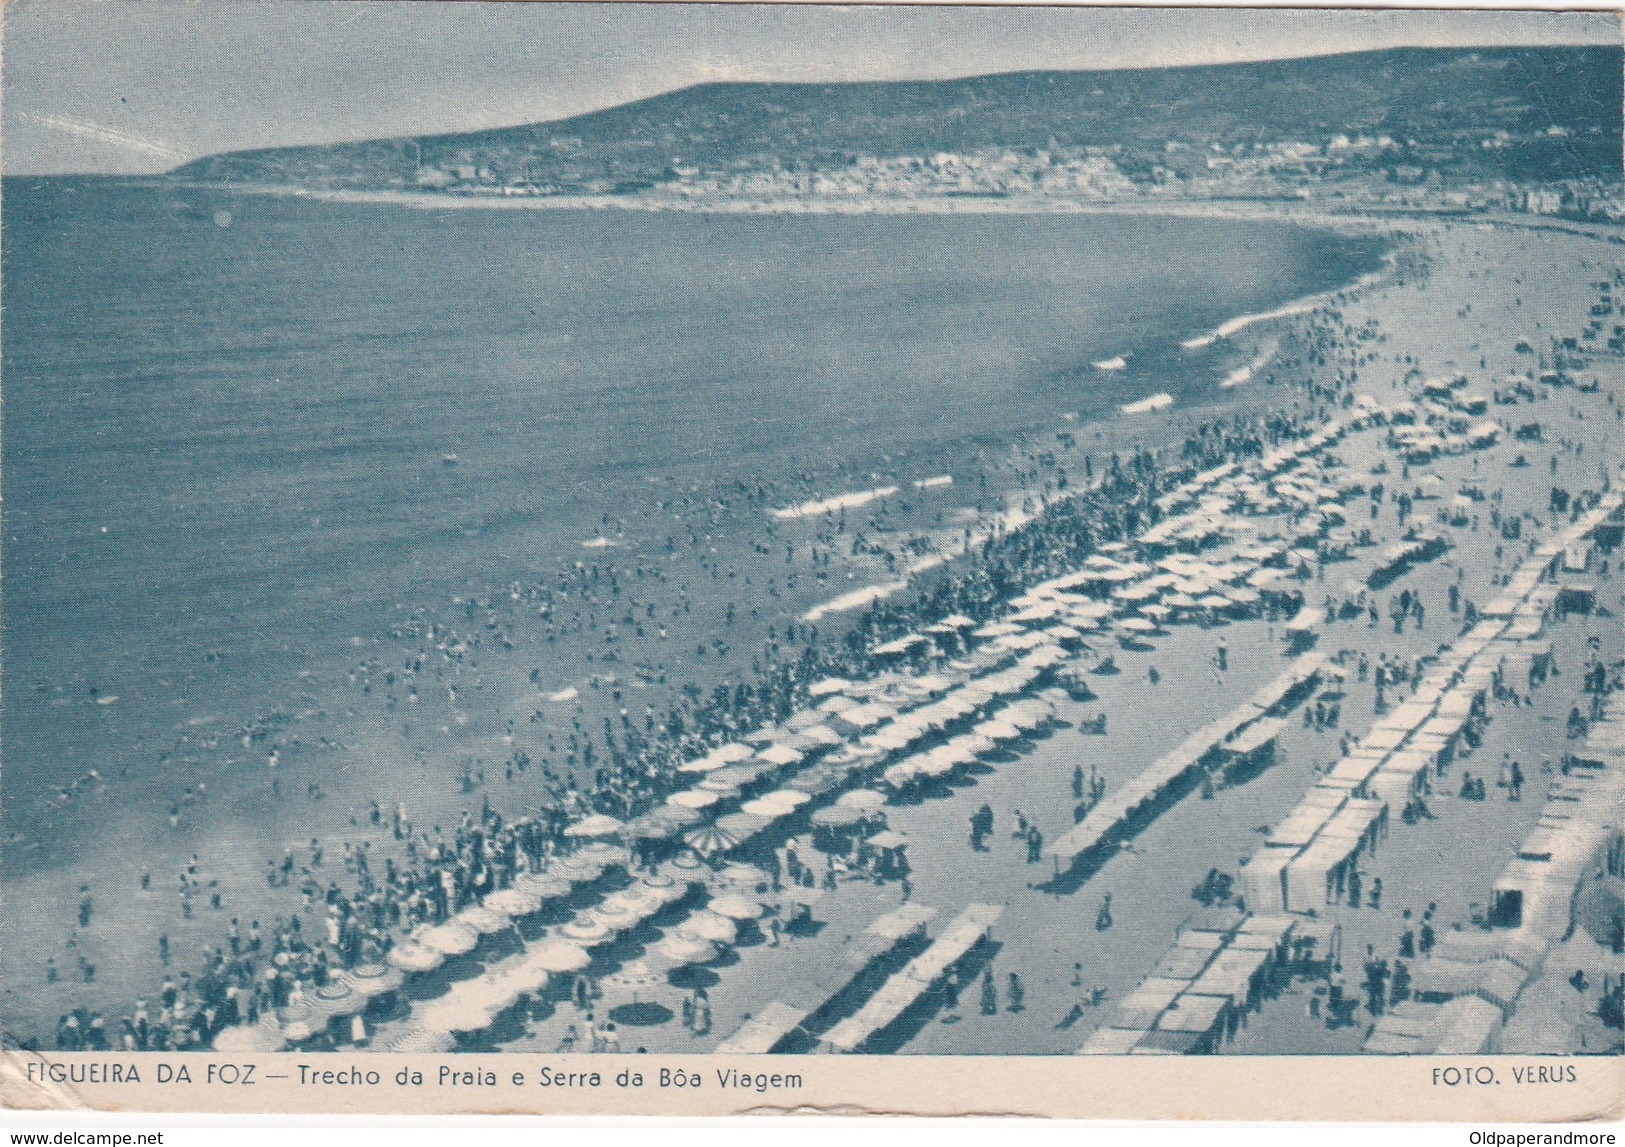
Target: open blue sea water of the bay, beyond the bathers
227, 417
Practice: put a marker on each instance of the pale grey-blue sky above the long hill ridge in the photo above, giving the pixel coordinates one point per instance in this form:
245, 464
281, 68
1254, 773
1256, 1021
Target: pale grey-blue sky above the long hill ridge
145, 85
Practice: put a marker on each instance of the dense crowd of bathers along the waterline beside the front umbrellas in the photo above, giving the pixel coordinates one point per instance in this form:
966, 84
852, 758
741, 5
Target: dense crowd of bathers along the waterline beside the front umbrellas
358, 914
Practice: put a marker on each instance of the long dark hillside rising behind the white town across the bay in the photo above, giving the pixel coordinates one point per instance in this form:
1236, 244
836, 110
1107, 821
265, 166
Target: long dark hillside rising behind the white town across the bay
1530, 115
